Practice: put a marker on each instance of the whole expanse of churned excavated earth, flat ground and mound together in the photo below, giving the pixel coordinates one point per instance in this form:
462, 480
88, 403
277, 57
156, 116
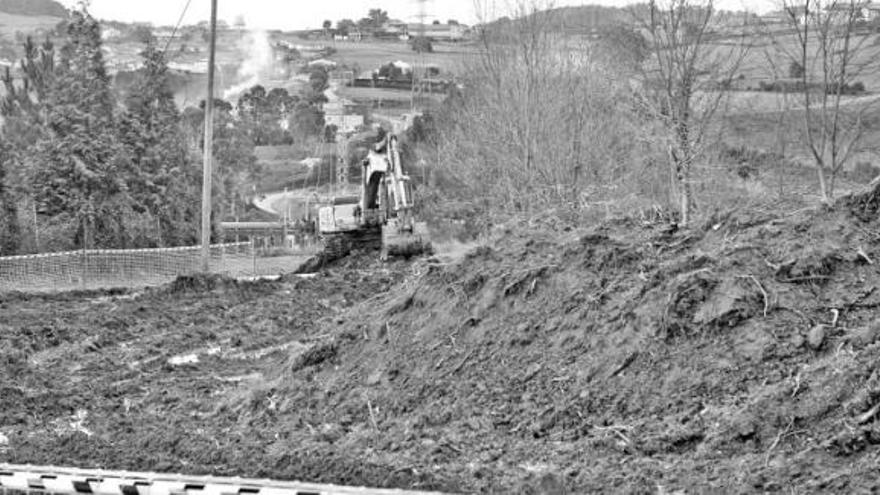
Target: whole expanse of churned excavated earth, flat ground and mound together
742, 355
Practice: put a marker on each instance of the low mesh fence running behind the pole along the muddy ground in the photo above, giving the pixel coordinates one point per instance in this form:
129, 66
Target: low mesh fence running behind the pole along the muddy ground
105, 268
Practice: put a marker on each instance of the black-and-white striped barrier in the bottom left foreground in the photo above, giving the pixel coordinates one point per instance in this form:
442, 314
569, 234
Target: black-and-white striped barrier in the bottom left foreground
55, 480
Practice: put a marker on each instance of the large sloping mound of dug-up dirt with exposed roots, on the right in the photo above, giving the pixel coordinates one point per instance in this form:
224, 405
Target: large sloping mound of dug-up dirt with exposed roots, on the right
743, 355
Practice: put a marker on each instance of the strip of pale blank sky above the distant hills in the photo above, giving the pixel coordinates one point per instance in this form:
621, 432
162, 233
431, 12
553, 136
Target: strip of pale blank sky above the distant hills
301, 14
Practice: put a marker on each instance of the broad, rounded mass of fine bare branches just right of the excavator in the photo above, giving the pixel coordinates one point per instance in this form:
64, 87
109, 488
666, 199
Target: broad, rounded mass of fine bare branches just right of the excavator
543, 123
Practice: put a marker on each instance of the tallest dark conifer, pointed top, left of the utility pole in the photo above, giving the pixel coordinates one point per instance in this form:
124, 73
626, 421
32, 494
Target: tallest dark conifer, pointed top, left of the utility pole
81, 166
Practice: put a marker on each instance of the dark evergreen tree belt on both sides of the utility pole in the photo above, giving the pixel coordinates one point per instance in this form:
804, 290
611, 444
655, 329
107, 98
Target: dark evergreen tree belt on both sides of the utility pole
86, 166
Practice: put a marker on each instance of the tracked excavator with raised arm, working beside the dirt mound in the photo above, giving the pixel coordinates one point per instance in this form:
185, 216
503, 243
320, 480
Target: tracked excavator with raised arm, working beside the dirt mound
381, 216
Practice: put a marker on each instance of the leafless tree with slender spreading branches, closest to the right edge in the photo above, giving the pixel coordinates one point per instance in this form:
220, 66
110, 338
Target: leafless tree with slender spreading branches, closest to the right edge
829, 46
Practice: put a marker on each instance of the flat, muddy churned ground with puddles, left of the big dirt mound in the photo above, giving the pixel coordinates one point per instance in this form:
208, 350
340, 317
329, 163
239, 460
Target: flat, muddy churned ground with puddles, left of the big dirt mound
156, 380
